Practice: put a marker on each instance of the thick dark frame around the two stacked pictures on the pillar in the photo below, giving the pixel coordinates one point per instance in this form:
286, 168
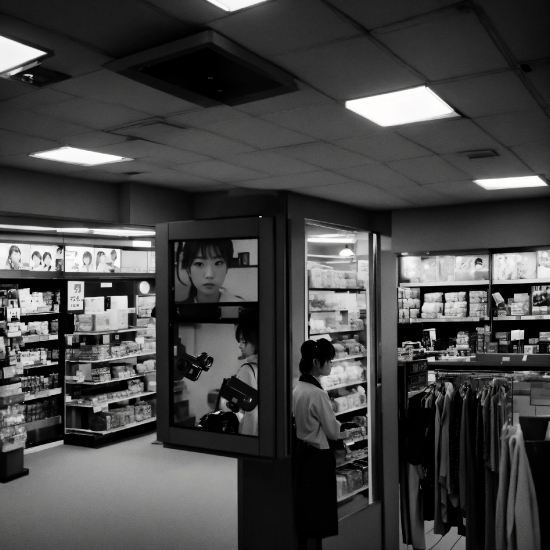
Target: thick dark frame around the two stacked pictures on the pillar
261, 228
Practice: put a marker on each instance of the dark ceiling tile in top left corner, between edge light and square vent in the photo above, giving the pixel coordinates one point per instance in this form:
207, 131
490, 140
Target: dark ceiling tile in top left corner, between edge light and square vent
122, 27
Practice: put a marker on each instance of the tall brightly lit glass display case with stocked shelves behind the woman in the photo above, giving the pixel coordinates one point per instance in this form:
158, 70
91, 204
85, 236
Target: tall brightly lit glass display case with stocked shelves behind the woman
339, 309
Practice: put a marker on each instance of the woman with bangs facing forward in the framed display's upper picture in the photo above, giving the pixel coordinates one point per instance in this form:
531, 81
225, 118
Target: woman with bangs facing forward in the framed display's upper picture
206, 263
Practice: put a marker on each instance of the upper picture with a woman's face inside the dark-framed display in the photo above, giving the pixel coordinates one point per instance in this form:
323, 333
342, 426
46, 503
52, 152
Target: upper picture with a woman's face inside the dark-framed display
209, 271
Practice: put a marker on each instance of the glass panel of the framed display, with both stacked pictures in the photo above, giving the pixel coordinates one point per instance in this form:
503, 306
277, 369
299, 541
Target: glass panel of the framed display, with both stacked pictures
216, 336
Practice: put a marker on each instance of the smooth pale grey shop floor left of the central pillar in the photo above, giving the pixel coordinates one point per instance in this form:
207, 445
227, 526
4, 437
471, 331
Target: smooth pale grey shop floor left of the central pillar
134, 495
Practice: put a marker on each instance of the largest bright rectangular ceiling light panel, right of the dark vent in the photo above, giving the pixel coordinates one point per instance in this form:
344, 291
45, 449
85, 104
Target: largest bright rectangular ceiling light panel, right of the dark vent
404, 107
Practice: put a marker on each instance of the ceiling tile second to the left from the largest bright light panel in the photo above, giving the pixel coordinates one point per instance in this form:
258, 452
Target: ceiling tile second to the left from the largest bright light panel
258, 133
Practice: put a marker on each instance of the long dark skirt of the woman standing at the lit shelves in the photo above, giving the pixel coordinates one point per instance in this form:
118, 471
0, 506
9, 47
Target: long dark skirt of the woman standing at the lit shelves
316, 509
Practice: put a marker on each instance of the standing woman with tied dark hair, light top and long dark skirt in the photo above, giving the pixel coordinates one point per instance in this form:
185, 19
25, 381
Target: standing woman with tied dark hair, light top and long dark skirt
316, 426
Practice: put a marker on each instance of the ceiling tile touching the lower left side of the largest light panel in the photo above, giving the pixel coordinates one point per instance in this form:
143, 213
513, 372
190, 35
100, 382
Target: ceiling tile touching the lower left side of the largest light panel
326, 122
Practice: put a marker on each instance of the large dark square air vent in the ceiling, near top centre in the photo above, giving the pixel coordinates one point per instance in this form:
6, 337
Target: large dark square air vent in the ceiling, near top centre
206, 69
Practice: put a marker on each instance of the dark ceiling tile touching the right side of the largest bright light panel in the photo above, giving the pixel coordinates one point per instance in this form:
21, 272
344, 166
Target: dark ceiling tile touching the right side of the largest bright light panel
486, 95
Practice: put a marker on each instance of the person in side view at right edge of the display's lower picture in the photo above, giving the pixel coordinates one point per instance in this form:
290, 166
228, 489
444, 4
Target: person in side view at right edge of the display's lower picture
247, 336
